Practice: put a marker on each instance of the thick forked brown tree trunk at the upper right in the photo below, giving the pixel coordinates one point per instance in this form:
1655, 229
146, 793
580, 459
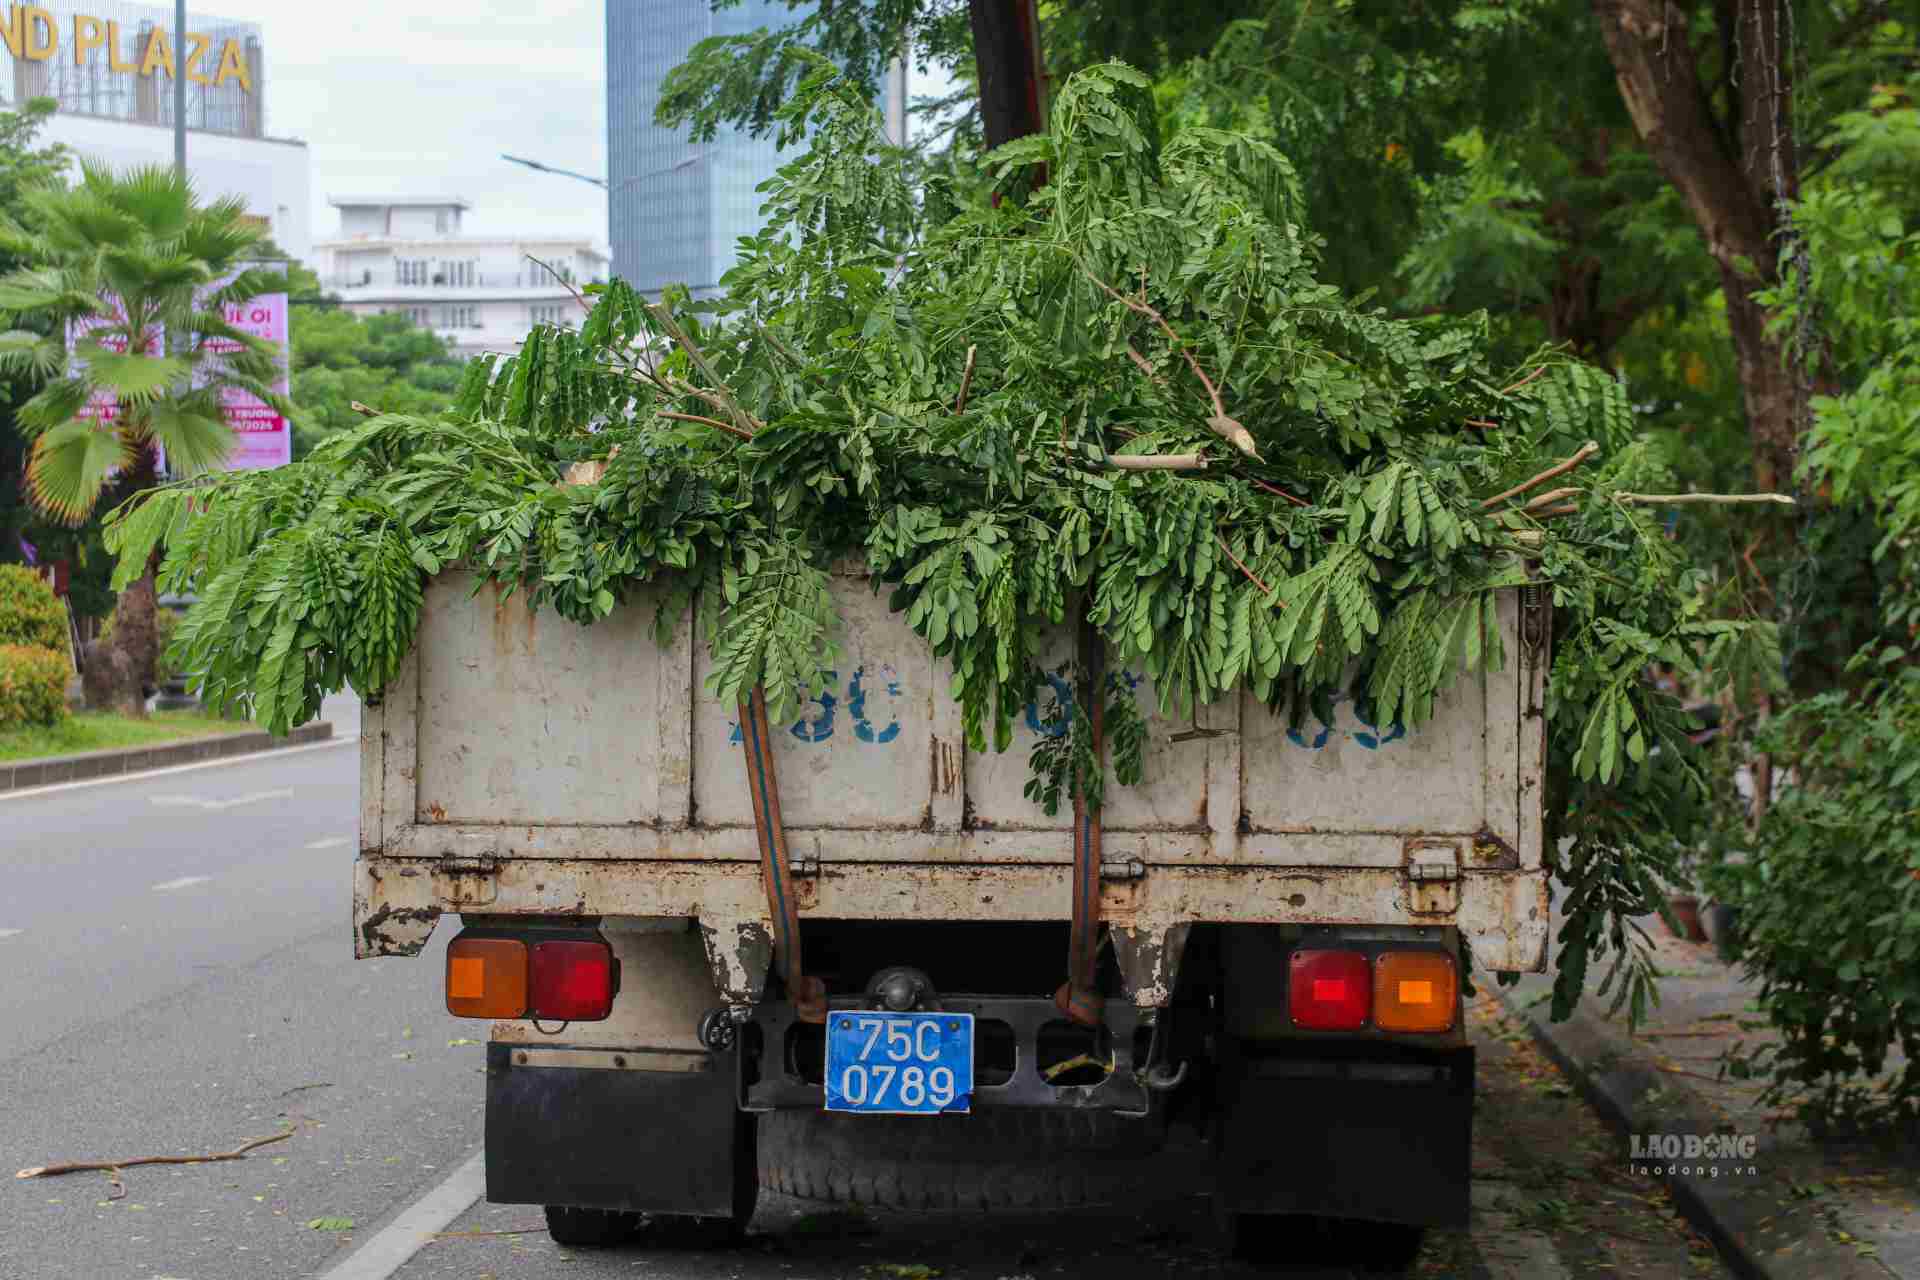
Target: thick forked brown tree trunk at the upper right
1731, 178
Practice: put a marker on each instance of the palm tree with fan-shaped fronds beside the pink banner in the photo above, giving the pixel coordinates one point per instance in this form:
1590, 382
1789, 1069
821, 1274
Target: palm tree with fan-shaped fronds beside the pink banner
133, 277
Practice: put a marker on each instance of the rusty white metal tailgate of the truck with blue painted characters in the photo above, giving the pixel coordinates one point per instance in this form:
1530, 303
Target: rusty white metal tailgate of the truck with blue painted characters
525, 765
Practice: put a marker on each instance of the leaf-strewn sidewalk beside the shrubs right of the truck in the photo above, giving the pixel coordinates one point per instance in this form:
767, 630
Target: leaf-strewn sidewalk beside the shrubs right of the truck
1796, 1208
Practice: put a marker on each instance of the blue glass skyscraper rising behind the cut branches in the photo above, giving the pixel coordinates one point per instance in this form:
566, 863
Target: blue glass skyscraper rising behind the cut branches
677, 206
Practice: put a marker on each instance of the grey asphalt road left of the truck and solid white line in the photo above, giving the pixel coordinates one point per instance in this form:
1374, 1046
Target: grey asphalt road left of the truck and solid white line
178, 978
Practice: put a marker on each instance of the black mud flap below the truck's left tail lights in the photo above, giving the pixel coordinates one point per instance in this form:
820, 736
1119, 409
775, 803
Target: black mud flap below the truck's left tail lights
617, 1139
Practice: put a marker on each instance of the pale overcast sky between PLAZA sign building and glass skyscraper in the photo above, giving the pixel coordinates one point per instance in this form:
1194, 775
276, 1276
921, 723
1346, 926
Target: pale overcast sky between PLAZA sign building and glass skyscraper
421, 97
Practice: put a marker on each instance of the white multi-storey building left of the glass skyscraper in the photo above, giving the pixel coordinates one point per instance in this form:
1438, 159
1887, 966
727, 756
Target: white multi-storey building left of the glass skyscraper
485, 293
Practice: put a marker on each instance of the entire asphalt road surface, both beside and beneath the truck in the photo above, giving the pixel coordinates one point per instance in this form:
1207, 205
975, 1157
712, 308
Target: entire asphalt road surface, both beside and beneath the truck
178, 978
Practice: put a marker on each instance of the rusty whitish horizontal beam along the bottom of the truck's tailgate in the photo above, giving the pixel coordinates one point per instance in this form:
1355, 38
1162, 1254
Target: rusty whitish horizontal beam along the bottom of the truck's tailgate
398, 901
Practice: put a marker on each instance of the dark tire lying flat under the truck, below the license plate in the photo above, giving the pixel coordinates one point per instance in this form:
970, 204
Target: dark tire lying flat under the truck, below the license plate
992, 1160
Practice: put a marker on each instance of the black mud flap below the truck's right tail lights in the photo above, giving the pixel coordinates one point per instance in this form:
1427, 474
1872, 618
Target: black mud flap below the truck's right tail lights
1368, 1133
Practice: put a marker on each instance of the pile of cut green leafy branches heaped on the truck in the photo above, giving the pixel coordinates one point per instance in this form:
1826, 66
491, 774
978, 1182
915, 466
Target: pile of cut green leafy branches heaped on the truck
1118, 398
